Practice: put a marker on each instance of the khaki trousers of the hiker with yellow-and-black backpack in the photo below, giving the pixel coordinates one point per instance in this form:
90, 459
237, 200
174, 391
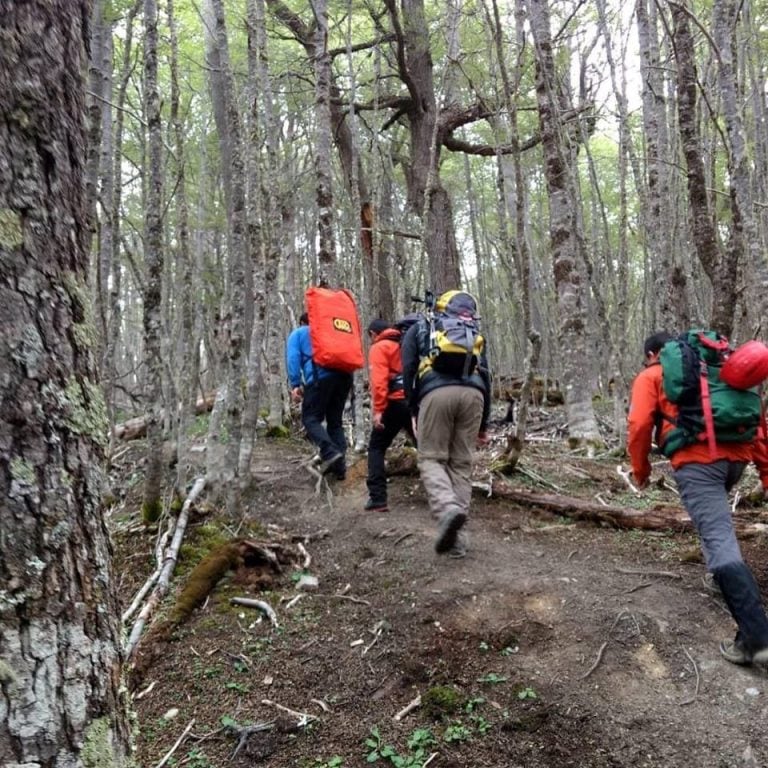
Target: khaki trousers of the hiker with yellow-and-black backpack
449, 420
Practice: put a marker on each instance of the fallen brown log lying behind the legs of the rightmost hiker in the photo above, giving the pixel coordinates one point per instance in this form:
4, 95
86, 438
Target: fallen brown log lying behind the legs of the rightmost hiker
661, 517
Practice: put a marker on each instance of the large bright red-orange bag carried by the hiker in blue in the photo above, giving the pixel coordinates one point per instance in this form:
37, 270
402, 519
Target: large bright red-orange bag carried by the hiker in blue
334, 329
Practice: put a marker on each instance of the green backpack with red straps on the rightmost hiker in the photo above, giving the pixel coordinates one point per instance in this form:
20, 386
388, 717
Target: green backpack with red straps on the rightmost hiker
709, 409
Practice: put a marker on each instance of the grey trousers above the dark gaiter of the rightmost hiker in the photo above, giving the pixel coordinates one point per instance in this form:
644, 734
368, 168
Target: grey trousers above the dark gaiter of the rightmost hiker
704, 491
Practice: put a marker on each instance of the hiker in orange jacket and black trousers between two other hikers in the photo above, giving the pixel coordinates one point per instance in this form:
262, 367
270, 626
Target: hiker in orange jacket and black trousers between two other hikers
389, 412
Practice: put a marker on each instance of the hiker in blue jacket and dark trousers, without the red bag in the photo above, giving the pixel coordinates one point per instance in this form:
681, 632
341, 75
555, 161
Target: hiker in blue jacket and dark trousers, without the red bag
323, 394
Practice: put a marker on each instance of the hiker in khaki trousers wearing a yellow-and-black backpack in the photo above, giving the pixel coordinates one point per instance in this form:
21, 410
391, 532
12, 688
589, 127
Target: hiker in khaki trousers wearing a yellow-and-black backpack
448, 390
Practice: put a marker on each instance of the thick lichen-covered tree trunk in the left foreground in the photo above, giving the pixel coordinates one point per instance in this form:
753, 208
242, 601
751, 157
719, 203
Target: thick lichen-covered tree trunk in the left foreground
59, 638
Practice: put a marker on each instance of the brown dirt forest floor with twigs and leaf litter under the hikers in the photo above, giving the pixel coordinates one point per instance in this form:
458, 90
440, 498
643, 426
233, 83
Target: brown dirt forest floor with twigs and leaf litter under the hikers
552, 643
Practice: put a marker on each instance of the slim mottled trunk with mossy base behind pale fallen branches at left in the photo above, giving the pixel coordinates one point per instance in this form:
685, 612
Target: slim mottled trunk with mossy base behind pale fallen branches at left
153, 282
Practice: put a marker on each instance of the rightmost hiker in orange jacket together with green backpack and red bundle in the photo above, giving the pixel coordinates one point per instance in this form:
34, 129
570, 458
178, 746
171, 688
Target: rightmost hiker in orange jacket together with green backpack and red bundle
701, 402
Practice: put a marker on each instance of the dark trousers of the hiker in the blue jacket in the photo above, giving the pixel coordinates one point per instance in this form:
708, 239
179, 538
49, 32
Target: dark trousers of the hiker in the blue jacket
324, 401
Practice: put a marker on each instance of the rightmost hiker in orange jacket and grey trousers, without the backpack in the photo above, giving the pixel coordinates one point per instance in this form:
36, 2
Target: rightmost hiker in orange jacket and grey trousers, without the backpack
704, 479
